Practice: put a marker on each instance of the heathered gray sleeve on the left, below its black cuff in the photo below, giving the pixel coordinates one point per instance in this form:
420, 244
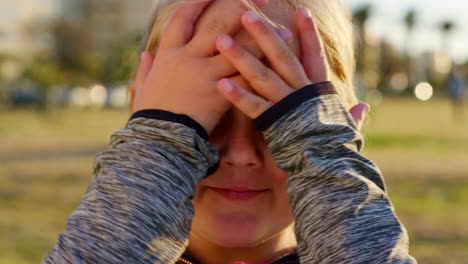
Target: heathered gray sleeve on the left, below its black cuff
138, 208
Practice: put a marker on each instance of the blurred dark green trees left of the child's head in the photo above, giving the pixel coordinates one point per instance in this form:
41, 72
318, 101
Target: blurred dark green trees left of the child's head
71, 62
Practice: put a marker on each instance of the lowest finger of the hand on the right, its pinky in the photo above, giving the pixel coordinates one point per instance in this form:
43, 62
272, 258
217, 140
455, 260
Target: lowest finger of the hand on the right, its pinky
250, 104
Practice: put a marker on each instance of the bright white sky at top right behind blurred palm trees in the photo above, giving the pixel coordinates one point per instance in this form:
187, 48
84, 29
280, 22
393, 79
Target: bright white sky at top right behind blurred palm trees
387, 22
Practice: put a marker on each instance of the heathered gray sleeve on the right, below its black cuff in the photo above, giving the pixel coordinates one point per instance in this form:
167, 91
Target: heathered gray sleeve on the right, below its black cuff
338, 197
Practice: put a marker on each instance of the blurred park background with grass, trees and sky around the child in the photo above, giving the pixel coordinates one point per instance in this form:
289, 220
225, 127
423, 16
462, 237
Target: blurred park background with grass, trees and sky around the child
64, 70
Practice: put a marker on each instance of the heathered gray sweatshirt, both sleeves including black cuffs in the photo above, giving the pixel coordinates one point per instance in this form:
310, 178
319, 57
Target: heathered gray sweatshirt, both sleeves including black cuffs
138, 208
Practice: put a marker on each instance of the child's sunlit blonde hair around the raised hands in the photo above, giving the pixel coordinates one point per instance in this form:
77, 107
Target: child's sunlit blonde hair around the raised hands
333, 23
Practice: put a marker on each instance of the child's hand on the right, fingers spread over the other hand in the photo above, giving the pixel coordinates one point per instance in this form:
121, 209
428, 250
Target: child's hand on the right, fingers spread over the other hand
286, 73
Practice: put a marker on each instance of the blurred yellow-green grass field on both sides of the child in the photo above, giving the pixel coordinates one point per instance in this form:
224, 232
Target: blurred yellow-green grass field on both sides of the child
46, 164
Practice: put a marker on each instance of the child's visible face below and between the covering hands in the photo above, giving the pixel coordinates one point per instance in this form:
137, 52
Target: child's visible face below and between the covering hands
241, 219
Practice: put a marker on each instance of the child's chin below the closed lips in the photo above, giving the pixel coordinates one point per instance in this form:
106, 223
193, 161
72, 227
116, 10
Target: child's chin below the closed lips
229, 224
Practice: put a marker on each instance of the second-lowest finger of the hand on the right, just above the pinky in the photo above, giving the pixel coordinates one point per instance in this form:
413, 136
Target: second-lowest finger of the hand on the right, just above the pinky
266, 82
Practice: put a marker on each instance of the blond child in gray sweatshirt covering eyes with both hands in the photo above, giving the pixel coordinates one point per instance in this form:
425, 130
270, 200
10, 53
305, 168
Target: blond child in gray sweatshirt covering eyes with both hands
237, 150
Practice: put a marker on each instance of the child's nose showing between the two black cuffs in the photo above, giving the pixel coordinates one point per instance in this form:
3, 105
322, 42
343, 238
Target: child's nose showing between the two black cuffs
239, 143
